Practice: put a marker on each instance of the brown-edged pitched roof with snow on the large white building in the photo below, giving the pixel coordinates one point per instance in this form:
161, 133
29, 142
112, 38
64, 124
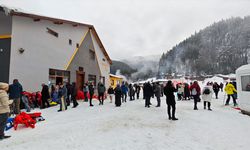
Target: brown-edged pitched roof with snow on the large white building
17, 12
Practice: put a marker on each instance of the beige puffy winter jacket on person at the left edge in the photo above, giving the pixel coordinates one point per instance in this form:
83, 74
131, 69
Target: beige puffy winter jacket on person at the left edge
4, 102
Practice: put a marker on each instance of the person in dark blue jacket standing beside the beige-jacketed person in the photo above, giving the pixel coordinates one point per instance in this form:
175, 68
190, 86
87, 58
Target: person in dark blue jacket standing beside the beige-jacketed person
15, 93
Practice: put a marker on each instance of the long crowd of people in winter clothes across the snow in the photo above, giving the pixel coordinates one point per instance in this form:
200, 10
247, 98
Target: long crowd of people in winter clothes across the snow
65, 94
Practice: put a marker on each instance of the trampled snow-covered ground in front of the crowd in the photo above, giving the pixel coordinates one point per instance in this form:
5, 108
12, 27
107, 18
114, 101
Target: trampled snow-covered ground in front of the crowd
132, 127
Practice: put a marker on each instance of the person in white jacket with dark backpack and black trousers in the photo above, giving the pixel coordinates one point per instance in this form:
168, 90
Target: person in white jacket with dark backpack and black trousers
207, 93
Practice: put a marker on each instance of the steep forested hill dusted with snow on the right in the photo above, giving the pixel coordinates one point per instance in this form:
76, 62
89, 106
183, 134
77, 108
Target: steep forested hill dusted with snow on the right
220, 48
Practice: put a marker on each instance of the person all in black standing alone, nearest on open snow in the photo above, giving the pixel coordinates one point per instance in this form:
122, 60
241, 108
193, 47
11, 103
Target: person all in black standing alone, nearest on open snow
169, 90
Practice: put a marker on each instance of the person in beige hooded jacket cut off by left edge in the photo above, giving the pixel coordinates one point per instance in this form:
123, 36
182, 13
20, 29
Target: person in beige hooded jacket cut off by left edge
4, 108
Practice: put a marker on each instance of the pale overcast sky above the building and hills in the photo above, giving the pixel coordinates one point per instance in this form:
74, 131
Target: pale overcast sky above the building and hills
139, 27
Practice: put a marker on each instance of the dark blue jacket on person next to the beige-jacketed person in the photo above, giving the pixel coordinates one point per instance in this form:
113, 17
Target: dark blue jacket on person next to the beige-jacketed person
15, 90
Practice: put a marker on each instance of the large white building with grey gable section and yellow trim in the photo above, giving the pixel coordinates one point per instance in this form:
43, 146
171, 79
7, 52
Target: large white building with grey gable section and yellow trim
36, 49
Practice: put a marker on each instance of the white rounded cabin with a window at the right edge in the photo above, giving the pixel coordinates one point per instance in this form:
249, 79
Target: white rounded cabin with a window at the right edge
243, 87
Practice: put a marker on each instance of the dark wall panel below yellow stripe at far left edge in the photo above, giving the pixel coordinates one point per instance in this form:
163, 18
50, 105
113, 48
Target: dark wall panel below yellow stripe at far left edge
4, 59
